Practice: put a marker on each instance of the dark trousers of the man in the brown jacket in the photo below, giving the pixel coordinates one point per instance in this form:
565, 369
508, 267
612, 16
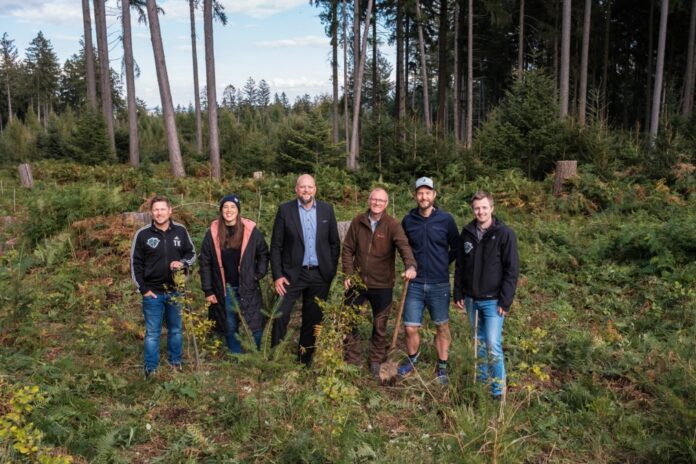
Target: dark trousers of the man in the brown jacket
381, 302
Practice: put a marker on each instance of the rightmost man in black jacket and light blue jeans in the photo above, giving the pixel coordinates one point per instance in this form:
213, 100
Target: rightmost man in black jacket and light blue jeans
485, 280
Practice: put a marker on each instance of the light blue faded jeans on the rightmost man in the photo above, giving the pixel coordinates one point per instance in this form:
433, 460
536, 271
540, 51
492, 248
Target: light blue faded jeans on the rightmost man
490, 342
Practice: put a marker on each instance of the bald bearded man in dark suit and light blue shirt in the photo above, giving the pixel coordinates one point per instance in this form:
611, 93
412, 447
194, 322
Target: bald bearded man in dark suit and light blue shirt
304, 254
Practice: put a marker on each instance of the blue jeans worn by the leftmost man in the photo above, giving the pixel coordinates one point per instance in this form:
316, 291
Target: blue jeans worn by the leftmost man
155, 311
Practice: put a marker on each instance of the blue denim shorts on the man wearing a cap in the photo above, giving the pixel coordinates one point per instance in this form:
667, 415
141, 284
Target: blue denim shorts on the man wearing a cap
435, 296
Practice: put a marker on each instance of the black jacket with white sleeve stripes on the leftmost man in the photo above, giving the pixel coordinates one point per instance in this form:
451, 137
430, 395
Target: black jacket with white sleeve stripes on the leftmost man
152, 252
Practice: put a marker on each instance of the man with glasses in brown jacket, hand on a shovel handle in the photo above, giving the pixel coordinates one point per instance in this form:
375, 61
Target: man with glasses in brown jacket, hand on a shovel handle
369, 251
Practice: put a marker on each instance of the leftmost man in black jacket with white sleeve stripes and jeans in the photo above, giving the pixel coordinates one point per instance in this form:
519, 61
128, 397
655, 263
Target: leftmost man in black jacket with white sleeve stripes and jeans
159, 250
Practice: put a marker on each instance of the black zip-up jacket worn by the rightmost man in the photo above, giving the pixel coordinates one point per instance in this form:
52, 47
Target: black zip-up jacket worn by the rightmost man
487, 269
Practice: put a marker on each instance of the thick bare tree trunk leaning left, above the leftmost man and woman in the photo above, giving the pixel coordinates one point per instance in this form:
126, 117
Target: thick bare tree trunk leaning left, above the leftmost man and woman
177, 163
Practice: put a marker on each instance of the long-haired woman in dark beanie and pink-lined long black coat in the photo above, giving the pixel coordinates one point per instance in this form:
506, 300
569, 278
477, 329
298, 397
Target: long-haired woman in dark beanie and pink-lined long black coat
234, 257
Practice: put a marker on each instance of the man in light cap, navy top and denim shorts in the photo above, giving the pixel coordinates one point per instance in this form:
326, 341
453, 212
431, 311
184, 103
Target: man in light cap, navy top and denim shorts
433, 235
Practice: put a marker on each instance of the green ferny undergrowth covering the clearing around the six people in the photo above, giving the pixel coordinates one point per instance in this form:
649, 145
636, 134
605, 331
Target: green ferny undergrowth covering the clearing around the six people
599, 344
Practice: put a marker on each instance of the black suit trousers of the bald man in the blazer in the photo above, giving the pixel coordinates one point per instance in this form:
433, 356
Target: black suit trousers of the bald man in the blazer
309, 285
